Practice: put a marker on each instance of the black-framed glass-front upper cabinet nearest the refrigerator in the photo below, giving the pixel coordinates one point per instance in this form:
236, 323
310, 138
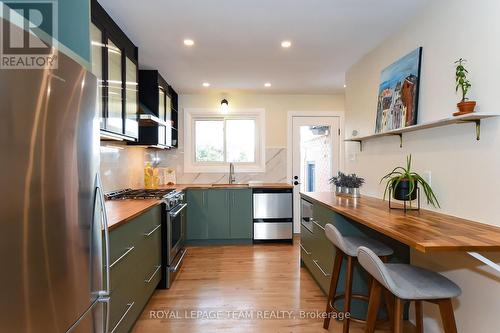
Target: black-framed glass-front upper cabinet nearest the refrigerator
114, 62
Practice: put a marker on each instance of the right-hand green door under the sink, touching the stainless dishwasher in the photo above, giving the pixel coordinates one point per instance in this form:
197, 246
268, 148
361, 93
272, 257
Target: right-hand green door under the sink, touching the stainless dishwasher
240, 213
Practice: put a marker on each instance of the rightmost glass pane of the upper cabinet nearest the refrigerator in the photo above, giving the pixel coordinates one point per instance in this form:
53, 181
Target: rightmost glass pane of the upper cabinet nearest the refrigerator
131, 105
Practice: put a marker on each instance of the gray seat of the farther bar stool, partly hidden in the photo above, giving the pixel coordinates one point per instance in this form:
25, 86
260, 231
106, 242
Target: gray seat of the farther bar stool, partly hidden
350, 244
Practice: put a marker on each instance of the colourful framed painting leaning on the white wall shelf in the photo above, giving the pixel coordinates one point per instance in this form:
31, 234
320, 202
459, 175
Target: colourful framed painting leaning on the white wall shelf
397, 105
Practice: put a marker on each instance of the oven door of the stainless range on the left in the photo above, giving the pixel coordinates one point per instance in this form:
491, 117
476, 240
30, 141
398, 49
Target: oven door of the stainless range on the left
176, 231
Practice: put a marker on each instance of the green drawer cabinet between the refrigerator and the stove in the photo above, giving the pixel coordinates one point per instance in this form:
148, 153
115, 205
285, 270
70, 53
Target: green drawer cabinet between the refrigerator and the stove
135, 253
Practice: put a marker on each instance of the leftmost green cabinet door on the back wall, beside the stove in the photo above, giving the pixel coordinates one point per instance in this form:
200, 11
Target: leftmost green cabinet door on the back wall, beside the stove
197, 217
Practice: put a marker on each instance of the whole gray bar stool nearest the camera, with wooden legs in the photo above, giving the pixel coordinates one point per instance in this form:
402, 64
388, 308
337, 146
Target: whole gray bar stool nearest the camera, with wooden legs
408, 283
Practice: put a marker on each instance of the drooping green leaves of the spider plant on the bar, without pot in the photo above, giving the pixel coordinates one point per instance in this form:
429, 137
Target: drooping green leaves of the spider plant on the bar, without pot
401, 175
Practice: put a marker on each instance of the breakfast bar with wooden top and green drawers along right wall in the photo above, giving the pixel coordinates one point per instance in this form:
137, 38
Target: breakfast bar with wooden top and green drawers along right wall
423, 230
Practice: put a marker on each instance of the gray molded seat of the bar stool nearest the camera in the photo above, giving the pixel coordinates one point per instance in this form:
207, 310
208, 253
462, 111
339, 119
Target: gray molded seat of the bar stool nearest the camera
407, 281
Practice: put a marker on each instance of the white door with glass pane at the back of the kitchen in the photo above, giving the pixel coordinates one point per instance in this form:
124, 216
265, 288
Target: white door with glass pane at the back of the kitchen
315, 157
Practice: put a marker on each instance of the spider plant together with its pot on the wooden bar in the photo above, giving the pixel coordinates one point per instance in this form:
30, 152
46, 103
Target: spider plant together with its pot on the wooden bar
403, 182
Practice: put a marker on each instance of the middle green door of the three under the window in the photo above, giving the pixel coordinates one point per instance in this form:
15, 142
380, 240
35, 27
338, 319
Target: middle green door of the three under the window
218, 214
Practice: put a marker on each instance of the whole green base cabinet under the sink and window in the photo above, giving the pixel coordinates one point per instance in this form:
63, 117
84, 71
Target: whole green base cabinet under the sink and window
219, 215
